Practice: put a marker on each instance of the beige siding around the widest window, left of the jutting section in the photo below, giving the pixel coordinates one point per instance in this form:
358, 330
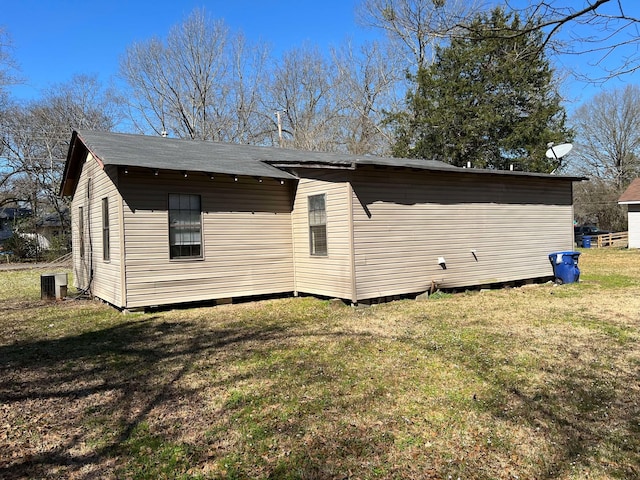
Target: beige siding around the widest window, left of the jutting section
246, 234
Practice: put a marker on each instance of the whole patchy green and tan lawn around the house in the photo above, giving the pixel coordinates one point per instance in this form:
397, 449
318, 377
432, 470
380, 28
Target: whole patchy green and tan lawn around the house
536, 382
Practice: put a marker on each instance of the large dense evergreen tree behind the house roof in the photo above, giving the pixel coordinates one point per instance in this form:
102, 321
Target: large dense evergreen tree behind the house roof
488, 99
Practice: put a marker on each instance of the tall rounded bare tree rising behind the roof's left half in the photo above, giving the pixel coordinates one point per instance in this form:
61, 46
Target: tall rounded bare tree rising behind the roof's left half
174, 85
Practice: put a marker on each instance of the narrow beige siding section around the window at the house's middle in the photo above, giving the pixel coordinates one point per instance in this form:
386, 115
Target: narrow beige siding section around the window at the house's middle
329, 275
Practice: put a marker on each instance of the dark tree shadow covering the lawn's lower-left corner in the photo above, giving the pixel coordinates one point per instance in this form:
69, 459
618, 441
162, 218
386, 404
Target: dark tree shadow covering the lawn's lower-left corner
121, 373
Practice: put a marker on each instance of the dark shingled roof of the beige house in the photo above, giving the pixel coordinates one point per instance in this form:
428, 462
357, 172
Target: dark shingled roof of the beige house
131, 150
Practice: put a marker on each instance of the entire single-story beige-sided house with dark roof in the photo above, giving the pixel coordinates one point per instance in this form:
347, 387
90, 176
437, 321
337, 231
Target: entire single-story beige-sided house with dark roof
160, 221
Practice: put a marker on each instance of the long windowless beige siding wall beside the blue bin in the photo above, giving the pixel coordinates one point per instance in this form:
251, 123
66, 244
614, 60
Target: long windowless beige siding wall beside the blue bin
405, 222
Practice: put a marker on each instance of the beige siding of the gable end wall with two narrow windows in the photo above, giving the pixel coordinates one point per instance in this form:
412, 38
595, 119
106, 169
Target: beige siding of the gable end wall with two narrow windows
102, 278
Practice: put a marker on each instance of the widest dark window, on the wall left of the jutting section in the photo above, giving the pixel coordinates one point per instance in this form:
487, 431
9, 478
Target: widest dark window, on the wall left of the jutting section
185, 226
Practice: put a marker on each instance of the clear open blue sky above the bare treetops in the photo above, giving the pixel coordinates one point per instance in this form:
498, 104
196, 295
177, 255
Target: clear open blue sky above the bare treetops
54, 39
